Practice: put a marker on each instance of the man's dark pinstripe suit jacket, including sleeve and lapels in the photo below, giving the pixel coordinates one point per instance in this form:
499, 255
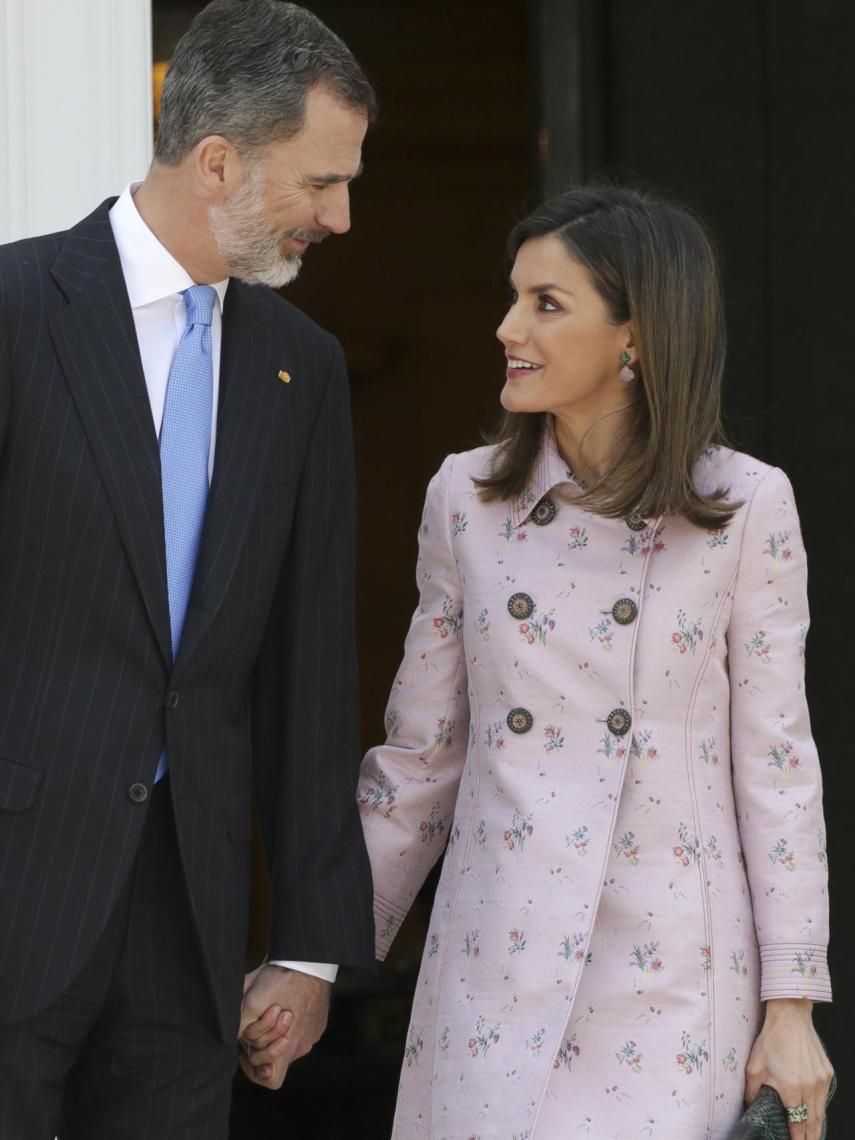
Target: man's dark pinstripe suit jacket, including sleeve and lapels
264, 687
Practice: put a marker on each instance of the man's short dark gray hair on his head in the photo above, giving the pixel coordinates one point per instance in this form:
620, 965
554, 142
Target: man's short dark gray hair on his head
243, 70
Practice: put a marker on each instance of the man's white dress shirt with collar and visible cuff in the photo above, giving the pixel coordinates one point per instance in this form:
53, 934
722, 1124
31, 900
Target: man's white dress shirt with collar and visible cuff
156, 282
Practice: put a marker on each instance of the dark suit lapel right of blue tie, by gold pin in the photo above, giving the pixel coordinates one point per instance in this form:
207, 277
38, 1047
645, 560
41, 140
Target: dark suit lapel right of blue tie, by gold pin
249, 421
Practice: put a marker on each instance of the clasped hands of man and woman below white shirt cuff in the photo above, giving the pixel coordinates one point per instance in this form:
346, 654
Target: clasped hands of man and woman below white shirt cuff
284, 1014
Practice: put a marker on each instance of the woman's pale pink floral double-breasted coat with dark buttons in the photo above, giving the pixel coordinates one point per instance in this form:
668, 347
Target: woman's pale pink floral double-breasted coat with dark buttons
605, 723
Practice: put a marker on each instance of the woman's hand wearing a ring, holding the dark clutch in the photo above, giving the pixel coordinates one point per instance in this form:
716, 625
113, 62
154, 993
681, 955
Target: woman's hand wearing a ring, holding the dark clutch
789, 1057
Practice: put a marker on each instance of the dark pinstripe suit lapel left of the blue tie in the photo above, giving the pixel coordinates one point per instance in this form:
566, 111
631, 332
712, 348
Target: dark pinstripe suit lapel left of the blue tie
96, 343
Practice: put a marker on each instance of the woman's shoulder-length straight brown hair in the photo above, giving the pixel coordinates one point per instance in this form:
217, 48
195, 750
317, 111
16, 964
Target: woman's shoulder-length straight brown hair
654, 264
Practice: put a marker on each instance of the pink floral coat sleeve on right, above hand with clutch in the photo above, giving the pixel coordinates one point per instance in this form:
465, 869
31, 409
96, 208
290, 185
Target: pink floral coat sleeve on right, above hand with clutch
777, 777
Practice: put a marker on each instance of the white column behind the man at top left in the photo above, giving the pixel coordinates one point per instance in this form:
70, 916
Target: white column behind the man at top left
76, 108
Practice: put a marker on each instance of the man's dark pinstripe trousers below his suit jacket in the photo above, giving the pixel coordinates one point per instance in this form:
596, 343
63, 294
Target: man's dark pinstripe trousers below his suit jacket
132, 1049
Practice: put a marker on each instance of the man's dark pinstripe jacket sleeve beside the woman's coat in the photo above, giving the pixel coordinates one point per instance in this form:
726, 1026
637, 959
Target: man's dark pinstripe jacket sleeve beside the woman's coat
306, 730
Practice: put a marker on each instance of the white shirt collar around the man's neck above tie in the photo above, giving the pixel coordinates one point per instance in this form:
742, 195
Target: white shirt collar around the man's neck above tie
151, 272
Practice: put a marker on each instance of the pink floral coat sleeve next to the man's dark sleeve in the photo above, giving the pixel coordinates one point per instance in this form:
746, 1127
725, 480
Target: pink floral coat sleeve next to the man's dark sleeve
409, 787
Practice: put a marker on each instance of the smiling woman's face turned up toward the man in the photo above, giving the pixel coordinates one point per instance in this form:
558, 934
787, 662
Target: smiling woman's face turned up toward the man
564, 354
